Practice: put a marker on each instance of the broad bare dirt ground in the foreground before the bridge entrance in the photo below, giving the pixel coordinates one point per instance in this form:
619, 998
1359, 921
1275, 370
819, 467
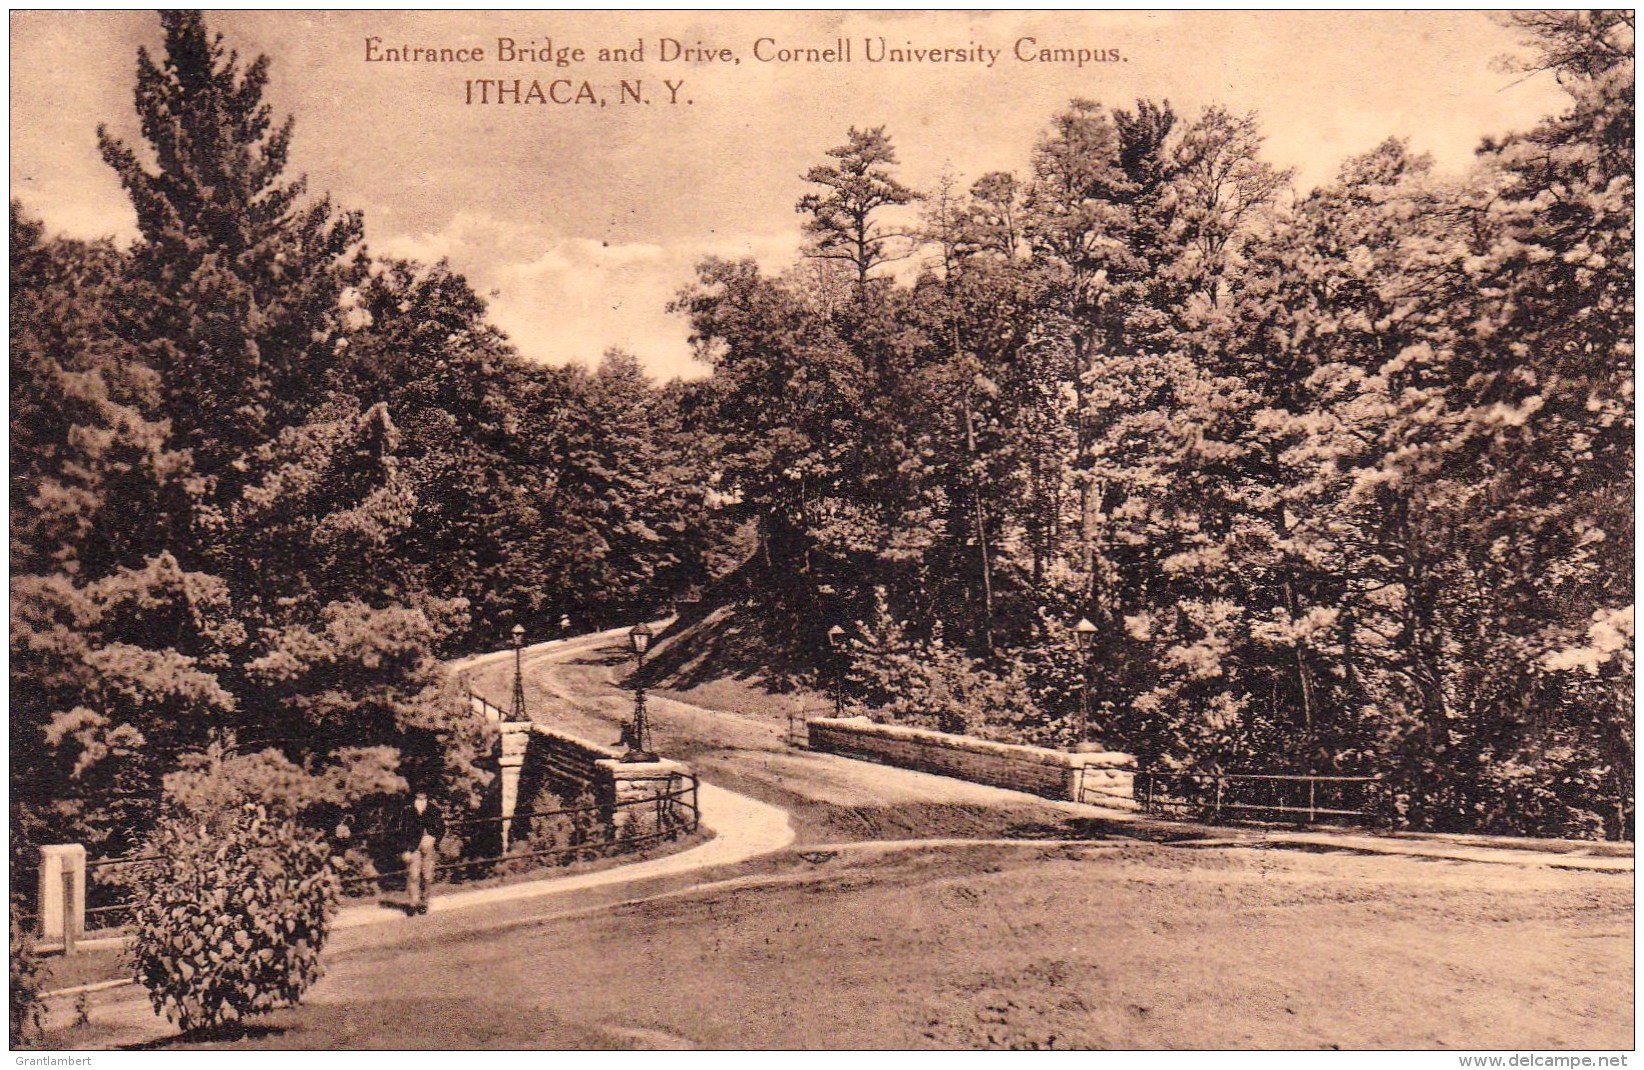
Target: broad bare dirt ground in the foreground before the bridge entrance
1022, 948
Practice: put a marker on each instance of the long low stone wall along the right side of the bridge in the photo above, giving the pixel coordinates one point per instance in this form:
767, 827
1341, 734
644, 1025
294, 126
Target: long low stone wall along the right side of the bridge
1104, 778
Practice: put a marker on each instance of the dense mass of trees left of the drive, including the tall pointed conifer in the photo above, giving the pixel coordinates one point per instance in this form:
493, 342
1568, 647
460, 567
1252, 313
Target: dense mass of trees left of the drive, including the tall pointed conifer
262, 482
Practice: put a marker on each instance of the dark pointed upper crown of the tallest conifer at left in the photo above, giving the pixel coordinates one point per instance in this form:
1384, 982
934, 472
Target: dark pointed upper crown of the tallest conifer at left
242, 280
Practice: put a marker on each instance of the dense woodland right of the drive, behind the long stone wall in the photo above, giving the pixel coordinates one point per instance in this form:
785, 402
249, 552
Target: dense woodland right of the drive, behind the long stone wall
1344, 481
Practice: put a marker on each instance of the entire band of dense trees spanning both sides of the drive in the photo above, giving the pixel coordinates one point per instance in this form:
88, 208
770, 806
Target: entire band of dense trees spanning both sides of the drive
1342, 479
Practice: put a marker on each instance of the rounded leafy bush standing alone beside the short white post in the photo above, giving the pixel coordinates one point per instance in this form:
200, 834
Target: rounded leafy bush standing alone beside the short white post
234, 918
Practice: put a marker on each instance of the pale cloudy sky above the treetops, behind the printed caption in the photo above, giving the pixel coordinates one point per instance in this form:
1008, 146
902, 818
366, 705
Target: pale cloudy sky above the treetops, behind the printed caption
580, 221
